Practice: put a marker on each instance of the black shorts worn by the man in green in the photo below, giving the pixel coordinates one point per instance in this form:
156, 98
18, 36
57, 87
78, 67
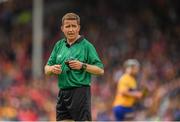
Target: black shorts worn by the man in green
74, 104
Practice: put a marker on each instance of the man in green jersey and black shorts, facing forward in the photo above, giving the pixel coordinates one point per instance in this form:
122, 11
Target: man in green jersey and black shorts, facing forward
73, 60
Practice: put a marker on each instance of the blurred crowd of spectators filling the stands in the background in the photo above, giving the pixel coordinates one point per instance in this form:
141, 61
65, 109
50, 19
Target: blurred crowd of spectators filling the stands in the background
146, 30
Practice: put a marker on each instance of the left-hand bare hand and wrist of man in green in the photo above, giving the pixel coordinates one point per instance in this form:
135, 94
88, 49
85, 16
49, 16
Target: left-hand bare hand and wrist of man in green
54, 69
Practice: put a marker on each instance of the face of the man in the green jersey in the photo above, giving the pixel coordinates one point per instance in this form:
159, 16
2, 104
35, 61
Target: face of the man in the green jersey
71, 29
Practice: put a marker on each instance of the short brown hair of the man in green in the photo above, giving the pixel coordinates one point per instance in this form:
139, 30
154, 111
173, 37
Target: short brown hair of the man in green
71, 16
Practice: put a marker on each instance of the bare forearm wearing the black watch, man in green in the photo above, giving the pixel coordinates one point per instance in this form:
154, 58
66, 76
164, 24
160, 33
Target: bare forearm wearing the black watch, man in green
94, 69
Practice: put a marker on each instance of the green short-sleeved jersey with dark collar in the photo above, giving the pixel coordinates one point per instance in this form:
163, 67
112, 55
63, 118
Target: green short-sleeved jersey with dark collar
81, 50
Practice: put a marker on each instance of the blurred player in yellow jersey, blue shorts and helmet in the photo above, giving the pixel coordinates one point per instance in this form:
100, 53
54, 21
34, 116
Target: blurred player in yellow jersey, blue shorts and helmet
127, 92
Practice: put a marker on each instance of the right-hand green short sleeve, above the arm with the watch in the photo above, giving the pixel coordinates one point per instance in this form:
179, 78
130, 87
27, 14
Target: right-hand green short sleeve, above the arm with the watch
93, 57
